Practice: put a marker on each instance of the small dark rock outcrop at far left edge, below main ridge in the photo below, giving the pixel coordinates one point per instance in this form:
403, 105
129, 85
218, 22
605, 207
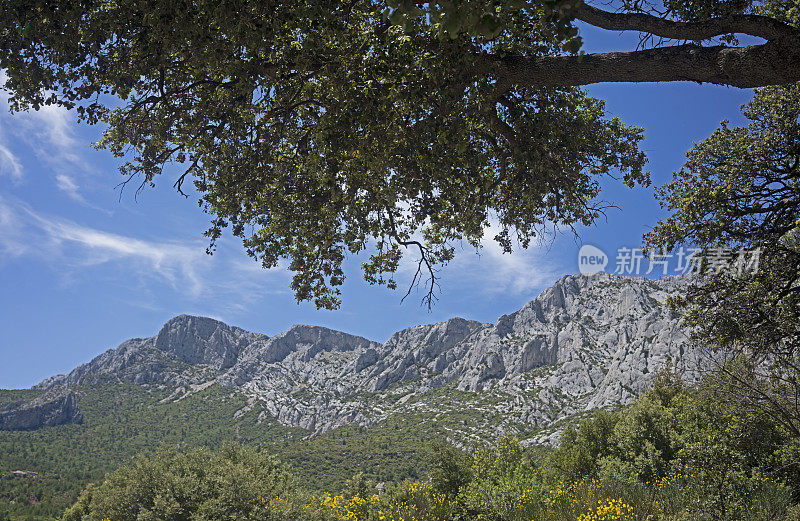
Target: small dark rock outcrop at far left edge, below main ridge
58, 406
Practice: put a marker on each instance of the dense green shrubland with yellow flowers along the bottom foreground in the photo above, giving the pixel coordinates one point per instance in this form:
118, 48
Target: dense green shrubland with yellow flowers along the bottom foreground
676, 453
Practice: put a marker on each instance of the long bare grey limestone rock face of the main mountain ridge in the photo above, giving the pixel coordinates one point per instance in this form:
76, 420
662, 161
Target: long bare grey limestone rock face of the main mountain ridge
586, 342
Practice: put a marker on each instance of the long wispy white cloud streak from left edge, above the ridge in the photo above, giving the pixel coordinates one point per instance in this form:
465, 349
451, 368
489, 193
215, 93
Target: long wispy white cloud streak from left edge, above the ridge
72, 249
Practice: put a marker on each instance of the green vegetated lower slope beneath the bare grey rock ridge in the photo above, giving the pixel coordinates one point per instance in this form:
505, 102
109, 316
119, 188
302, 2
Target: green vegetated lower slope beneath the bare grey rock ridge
122, 420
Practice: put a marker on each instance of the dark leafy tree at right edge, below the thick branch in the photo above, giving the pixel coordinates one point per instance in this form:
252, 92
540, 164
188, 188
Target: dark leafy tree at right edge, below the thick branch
740, 190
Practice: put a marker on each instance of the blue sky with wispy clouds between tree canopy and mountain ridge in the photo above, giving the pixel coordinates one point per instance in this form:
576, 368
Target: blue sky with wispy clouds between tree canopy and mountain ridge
84, 267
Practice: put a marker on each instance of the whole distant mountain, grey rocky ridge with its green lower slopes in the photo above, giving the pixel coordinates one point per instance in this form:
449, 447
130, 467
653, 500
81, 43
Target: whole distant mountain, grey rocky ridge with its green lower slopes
323, 398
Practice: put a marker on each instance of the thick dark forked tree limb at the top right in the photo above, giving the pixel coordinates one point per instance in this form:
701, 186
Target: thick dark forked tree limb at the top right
772, 63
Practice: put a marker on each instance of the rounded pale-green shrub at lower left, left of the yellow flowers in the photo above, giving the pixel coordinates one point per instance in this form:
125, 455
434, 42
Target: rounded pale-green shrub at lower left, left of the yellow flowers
235, 483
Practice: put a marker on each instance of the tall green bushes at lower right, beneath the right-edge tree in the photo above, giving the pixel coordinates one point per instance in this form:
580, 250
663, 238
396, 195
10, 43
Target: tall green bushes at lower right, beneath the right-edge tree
686, 442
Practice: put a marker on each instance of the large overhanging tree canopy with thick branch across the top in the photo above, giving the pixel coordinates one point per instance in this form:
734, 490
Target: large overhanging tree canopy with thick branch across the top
318, 128
